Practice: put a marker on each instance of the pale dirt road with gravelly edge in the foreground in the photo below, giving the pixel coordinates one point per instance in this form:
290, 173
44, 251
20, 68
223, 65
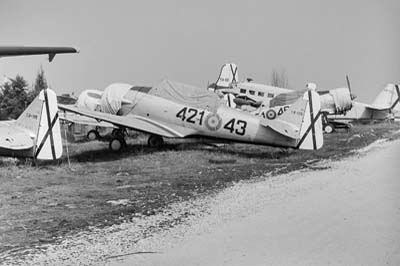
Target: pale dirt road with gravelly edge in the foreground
346, 215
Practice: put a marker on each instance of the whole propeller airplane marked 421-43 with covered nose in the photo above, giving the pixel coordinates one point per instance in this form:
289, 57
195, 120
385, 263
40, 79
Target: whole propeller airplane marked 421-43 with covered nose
176, 110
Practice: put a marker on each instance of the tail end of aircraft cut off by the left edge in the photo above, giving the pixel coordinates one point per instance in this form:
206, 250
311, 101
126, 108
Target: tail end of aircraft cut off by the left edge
36, 133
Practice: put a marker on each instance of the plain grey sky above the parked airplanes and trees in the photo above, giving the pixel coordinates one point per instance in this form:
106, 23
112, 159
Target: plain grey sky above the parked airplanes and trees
143, 42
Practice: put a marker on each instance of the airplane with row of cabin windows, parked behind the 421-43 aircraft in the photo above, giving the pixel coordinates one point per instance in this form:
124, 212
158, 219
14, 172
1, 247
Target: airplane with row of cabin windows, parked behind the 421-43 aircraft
269, 101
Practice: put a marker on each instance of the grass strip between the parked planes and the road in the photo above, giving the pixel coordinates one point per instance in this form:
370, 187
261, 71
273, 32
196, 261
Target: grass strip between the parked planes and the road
41, 204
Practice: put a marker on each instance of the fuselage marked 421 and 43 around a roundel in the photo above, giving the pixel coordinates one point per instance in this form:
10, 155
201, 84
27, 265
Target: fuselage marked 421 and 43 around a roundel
223, 123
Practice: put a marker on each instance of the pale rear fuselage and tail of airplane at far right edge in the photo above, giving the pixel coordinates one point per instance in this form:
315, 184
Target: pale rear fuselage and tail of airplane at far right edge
385, 107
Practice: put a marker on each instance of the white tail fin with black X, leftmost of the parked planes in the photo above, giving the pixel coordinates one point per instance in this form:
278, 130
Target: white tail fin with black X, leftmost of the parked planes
41, 118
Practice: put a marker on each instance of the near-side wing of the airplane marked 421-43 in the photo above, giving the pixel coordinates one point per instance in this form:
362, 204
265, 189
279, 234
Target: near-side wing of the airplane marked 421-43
134, 122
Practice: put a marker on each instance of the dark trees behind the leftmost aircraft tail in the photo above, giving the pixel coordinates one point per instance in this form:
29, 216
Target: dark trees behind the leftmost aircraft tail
16, 95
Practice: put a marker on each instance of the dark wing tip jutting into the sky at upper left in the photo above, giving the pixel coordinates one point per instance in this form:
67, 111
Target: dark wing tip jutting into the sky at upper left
35, 50
